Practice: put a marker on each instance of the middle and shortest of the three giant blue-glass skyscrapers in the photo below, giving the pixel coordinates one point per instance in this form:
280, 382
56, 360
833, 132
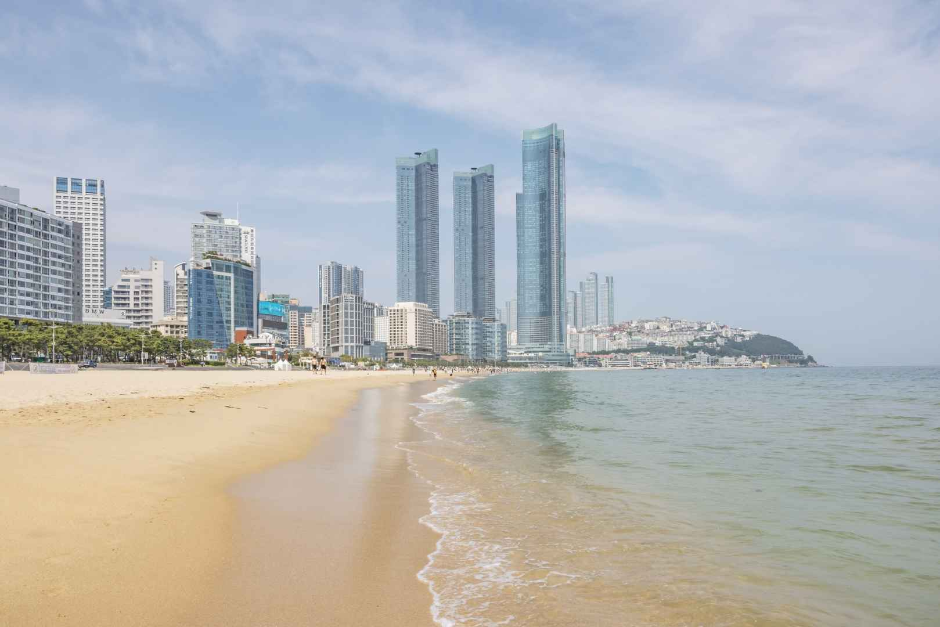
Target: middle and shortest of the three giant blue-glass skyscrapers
475, 242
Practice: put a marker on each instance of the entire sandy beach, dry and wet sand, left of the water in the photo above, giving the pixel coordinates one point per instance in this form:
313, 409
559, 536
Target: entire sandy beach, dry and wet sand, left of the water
163, 498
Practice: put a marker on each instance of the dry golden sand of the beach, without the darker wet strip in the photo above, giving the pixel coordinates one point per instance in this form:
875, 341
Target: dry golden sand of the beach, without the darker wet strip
119, 511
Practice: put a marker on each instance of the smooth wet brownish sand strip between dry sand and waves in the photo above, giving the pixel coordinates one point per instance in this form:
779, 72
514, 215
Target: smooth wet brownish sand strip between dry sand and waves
334, 538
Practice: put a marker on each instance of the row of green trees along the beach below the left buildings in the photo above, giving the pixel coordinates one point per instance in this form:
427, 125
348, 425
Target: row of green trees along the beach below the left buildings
32, 340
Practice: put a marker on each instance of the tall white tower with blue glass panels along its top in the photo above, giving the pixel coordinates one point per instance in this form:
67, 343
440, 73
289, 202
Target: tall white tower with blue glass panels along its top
83, 201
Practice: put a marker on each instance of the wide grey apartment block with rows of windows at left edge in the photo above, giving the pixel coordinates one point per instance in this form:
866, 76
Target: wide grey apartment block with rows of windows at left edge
40, 265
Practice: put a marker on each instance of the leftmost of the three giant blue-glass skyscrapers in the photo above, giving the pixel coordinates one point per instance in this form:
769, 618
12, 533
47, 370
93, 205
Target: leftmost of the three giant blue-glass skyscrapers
418, 231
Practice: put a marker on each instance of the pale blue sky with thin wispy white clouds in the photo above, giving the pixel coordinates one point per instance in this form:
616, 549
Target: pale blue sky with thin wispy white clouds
772, 165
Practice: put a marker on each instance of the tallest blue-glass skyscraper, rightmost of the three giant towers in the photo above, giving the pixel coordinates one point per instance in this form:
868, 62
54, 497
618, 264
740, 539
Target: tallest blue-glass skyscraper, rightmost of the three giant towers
540, 248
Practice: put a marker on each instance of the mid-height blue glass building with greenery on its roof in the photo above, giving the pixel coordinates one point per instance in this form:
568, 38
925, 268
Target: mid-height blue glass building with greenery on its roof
222, 299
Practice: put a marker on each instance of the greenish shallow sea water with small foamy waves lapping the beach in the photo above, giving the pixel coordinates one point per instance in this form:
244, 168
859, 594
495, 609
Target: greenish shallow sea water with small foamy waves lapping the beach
701, 497
